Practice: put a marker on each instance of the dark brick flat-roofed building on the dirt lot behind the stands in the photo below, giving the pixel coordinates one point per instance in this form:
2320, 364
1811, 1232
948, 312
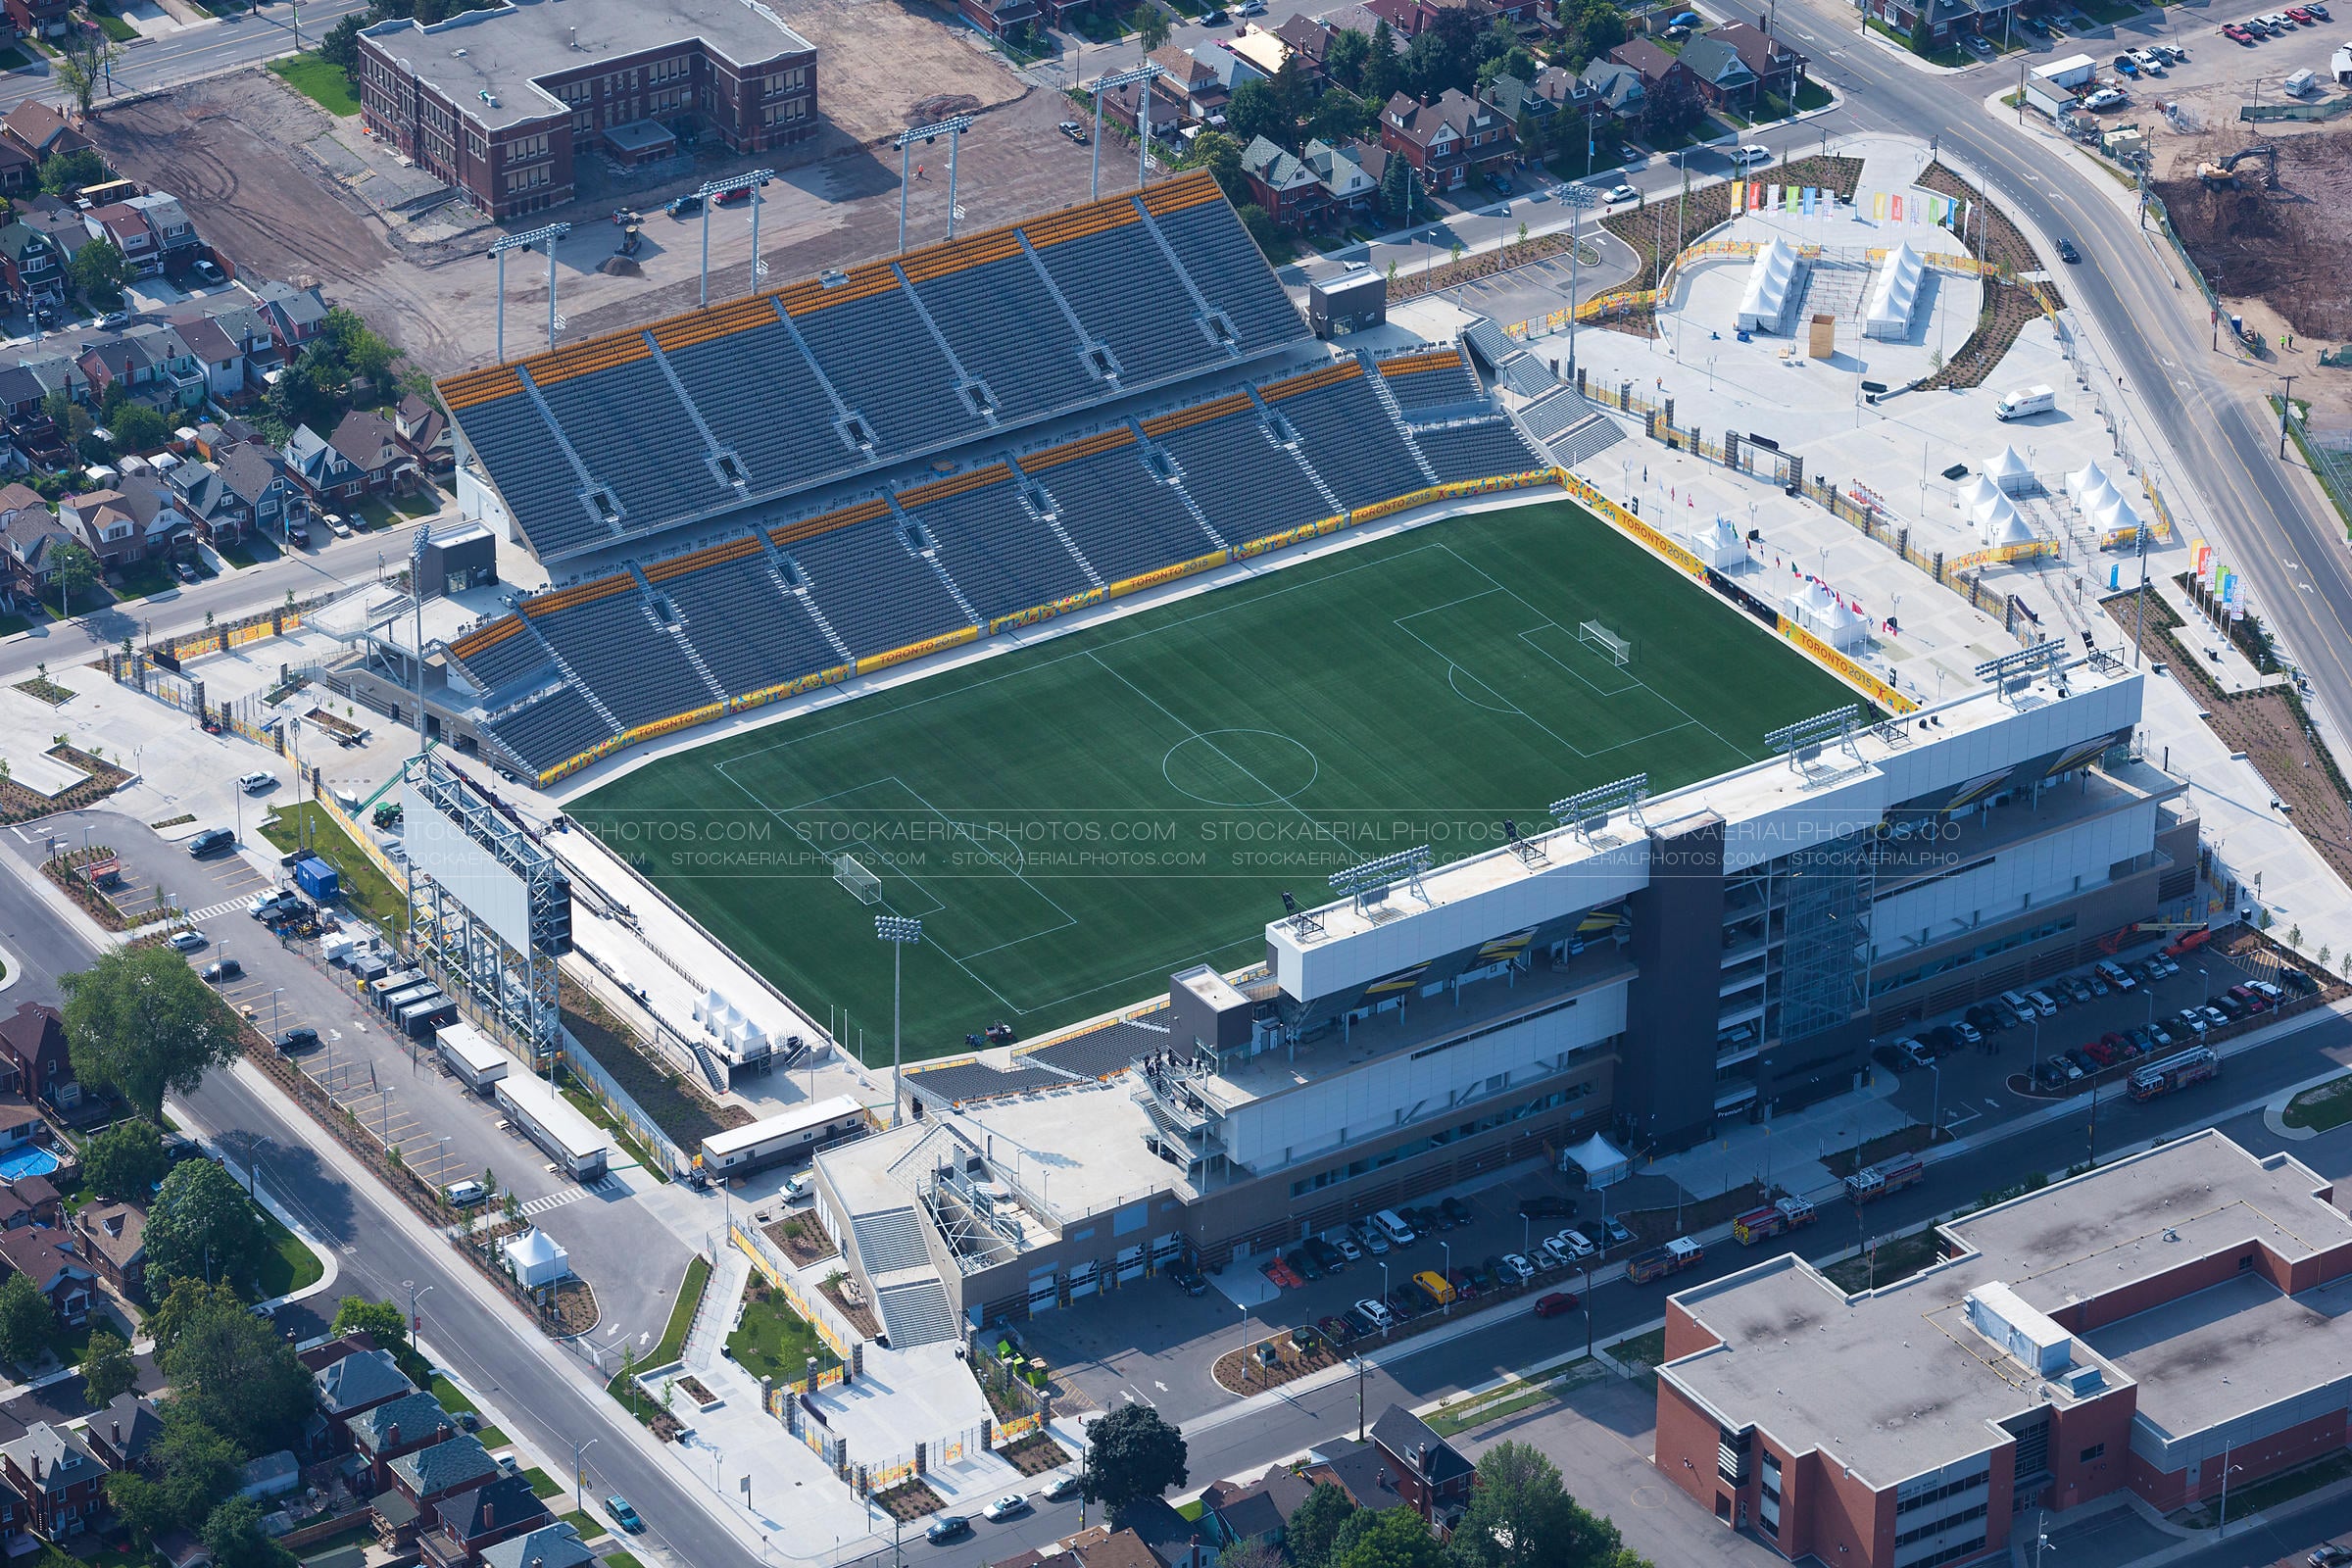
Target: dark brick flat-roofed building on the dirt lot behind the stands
502, 102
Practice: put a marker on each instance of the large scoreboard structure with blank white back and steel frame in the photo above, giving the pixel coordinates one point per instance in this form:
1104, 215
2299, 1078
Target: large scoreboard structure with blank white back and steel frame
490, 909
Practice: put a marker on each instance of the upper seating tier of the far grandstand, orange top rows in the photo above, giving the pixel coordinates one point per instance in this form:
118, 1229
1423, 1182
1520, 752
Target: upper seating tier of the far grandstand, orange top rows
846, 373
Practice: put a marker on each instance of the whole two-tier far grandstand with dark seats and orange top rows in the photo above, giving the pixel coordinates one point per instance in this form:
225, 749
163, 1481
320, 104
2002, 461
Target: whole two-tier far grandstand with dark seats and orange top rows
806, 485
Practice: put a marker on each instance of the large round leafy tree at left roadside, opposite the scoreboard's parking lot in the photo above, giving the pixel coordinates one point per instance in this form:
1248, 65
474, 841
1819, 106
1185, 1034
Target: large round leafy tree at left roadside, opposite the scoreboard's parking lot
142, 1024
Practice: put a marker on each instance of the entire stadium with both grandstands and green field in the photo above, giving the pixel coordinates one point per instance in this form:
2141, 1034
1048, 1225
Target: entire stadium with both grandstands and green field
1328, 791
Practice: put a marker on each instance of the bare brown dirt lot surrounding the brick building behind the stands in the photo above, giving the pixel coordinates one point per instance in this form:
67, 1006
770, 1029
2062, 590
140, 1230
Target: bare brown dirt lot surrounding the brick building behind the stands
232, 149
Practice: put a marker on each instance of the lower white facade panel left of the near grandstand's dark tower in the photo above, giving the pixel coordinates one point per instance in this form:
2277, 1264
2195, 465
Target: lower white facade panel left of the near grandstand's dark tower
1398, 1090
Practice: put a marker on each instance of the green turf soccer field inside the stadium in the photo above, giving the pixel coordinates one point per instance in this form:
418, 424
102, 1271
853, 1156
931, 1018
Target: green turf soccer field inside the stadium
1081, 819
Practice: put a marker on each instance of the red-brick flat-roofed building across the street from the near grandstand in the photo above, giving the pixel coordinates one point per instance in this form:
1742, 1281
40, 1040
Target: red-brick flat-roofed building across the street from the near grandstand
2153, 1325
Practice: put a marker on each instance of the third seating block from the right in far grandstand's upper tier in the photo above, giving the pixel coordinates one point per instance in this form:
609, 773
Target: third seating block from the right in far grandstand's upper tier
1005, 326
